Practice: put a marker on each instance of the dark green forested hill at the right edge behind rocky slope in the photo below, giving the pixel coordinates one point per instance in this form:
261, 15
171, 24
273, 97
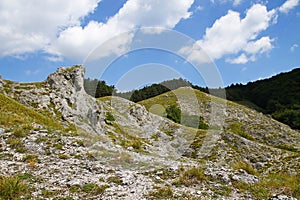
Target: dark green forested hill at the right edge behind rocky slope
278, 96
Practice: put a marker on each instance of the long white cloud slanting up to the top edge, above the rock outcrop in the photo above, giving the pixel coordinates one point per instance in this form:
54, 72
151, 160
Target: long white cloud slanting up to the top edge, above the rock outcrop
77, 41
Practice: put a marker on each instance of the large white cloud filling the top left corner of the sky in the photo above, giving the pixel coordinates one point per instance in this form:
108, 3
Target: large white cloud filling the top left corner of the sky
28, 27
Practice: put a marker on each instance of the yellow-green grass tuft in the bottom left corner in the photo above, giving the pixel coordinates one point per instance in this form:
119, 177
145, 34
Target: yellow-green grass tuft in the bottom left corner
13, 188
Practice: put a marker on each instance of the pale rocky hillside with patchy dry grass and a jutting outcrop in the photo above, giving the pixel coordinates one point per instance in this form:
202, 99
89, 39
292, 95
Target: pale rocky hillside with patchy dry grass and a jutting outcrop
63, 143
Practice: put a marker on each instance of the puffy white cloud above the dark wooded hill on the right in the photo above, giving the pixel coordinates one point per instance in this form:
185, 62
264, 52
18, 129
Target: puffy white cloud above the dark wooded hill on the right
232, 34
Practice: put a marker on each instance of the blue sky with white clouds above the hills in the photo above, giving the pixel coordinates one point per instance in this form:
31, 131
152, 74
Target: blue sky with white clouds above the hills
132, 43
